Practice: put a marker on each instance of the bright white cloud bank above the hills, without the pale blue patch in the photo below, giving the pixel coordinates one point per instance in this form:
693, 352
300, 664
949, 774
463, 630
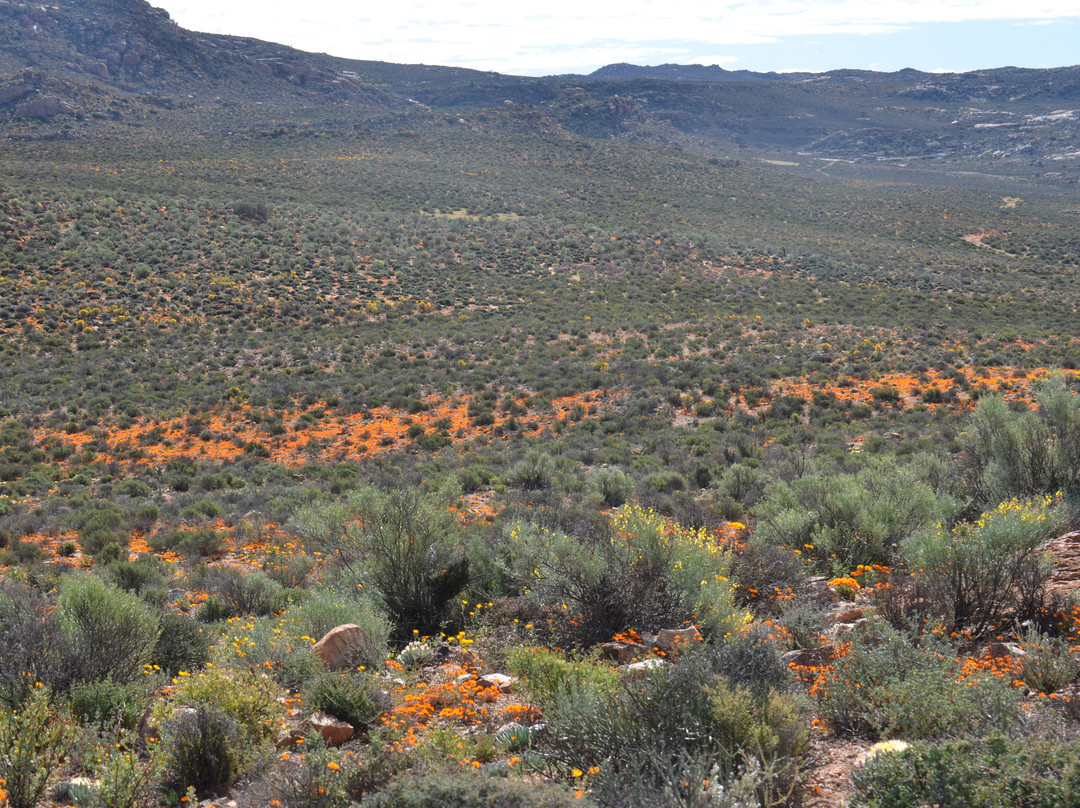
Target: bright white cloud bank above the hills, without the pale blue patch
509, 37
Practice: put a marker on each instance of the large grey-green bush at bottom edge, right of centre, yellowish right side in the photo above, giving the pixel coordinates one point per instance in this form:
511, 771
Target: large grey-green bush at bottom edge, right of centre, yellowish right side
672, 722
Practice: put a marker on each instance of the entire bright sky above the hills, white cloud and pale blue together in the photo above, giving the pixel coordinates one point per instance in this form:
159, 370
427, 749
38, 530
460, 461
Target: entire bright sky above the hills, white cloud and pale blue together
579, 36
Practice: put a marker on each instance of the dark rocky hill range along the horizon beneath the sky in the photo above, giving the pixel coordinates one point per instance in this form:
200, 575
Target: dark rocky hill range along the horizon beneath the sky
72, 60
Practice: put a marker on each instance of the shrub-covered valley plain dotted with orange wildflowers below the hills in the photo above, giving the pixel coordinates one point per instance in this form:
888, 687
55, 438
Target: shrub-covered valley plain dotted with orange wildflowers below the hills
501, 397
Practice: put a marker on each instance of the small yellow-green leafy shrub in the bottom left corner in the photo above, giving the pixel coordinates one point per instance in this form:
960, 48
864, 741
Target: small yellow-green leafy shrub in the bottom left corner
34, 743
